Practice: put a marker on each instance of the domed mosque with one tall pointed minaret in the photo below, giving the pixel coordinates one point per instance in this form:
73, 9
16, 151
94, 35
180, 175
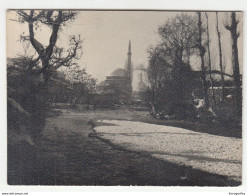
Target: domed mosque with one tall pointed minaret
119, 83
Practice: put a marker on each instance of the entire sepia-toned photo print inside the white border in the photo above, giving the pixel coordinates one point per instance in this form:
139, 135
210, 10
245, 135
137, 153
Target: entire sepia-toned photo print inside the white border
107, 97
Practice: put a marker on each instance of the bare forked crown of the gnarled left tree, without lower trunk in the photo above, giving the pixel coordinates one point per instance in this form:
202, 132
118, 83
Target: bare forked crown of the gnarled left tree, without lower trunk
51, 56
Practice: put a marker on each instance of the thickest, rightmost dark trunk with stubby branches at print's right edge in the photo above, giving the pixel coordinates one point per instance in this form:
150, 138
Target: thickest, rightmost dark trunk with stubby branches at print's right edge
236, 72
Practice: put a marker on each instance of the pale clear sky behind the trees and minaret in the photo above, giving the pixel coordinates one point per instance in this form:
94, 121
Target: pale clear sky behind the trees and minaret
106, 35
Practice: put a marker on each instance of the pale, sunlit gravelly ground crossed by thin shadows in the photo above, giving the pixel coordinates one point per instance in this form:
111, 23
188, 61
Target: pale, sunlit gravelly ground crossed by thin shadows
211, 153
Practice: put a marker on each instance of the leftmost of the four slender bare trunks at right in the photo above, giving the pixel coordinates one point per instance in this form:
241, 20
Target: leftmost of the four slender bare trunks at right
202, 53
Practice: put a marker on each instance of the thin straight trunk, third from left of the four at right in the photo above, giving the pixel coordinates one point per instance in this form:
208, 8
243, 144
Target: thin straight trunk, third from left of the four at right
220, 58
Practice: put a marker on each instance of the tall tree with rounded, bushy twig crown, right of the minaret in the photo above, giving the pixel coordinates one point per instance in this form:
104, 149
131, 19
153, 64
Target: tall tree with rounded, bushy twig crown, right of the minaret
179, 38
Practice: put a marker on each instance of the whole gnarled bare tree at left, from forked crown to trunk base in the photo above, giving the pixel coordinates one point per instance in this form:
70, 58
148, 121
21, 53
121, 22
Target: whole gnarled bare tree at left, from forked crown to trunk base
46, 60
